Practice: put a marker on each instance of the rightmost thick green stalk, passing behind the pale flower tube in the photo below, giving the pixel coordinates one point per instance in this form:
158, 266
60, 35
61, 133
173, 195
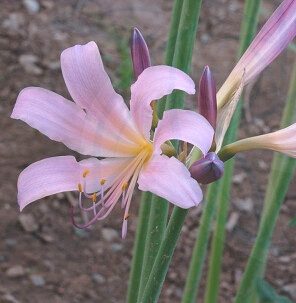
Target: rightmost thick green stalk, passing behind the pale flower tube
281, 174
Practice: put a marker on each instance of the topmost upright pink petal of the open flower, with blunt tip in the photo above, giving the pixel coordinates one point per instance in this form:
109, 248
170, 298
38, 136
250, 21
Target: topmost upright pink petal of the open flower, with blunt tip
91, 88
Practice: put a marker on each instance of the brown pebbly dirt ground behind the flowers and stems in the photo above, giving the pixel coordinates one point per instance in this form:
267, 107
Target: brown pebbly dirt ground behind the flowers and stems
43, 258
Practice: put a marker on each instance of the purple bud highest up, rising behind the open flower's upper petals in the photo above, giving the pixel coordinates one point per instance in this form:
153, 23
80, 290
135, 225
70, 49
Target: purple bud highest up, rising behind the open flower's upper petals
140, 53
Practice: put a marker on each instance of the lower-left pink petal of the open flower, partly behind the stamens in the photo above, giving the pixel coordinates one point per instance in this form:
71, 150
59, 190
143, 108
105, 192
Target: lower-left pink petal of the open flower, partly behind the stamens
60, 174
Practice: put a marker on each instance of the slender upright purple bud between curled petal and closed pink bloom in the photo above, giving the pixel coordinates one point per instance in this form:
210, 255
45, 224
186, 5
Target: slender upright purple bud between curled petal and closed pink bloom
207, 101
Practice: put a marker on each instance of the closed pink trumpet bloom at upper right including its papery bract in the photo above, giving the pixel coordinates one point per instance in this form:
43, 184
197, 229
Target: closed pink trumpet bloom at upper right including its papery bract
276, 34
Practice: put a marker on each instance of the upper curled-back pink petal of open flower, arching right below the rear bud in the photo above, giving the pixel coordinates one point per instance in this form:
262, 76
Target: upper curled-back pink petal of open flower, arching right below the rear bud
154, 83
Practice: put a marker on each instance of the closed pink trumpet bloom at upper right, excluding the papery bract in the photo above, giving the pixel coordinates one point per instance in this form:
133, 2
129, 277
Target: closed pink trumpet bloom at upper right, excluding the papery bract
272, 39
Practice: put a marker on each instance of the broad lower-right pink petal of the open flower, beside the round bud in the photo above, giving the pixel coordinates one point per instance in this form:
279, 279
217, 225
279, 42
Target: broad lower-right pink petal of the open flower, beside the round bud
170, 179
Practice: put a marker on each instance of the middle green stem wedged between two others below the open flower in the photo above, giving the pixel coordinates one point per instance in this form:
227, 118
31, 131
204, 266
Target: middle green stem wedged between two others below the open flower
156, 229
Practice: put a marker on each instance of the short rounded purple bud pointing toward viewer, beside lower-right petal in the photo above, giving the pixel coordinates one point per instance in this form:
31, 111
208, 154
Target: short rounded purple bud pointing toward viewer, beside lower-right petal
208, 169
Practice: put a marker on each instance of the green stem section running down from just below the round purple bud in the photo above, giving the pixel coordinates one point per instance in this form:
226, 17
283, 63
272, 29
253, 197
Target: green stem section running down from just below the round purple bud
201, 243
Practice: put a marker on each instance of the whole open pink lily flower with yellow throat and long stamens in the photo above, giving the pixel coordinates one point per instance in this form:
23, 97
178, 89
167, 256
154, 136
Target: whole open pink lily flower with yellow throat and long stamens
99, 124
